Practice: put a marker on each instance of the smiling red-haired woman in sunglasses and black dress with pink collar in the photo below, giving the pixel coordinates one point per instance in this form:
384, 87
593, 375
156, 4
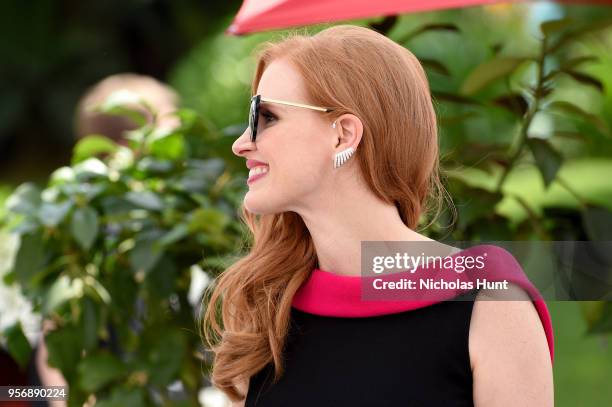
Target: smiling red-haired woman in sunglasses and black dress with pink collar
342, 147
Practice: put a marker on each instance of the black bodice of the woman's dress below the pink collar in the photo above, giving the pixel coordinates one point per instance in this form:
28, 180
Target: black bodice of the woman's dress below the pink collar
413, 358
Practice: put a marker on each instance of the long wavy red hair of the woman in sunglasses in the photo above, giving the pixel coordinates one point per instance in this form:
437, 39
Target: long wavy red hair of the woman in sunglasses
354, 70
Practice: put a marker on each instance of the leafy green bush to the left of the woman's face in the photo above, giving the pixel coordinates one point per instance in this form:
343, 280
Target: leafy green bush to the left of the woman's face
105, 253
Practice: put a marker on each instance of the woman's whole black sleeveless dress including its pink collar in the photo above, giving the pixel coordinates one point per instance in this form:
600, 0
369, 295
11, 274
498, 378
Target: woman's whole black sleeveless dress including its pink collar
344, 351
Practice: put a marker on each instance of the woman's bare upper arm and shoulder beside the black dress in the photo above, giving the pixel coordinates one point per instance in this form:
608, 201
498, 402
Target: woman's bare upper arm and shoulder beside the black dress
508, 350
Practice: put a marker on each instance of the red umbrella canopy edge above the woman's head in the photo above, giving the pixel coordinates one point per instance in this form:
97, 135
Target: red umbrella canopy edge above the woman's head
261, 15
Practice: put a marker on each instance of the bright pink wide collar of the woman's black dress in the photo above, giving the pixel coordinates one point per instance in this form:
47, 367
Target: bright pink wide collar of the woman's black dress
329, 294
